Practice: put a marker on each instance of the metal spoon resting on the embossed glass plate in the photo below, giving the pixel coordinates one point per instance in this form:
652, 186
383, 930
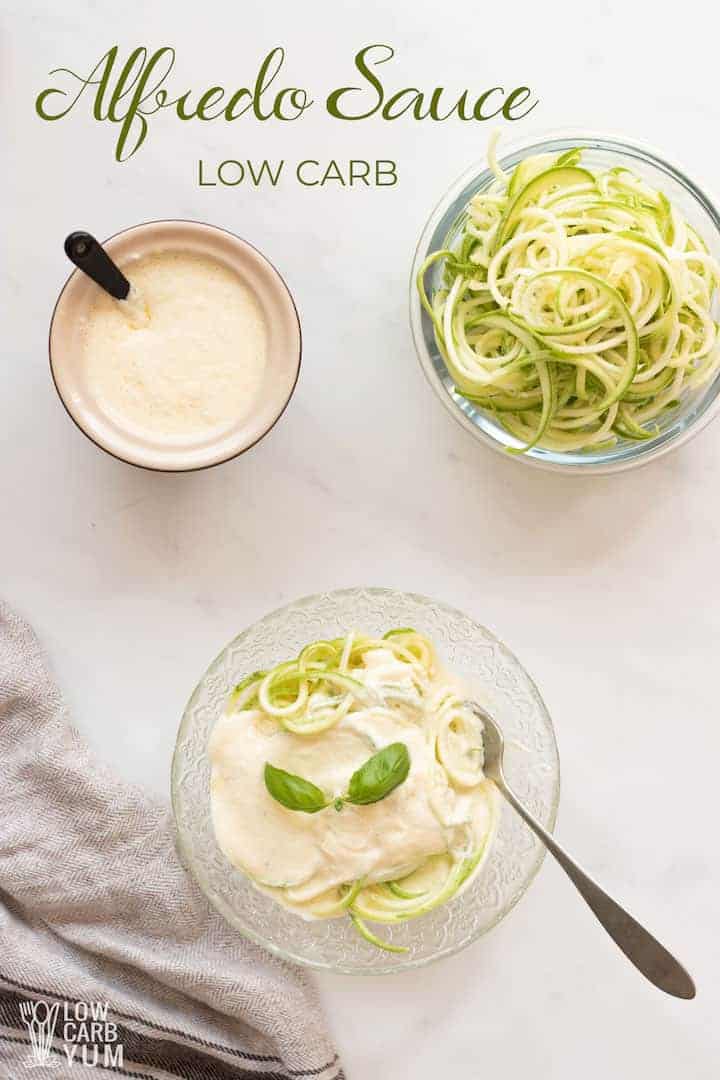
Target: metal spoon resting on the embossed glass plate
651, 958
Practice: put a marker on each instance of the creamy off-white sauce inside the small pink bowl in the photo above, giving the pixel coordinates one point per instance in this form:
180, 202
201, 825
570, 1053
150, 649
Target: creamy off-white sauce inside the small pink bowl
184, 358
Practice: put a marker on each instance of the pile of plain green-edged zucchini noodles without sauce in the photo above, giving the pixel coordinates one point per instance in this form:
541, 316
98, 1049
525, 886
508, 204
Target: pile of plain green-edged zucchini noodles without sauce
578, 307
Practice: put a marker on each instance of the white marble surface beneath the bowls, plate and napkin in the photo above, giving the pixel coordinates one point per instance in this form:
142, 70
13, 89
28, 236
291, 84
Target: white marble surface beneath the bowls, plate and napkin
607, 589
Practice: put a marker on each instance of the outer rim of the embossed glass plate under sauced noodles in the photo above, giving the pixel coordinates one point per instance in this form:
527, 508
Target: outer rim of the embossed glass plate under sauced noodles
287, 954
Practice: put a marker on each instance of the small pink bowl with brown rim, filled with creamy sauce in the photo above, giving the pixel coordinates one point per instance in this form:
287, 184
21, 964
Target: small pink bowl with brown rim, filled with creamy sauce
196, 367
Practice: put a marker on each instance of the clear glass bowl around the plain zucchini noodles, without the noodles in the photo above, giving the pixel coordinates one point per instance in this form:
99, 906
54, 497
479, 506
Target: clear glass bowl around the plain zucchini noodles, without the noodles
443, 231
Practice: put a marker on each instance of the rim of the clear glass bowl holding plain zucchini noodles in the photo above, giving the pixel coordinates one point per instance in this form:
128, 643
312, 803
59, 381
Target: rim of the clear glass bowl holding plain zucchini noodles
456, 195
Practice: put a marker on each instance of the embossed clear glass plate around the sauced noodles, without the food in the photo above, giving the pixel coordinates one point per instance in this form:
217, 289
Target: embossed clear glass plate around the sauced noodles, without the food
493, 673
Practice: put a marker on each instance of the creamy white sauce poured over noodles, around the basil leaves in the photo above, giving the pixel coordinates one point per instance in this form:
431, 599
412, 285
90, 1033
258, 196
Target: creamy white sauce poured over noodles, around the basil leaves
309, 855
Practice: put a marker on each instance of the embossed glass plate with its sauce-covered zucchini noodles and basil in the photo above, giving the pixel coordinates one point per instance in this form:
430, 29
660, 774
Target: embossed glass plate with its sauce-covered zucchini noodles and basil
329, 786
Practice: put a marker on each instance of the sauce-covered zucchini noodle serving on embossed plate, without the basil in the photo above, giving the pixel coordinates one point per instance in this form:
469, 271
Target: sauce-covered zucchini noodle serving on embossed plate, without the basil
351, 697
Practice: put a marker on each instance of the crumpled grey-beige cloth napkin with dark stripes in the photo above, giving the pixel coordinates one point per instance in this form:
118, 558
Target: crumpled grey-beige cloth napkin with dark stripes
110, 954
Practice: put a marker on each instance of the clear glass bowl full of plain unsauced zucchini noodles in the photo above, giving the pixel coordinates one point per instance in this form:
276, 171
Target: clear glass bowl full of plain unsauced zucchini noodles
565, 303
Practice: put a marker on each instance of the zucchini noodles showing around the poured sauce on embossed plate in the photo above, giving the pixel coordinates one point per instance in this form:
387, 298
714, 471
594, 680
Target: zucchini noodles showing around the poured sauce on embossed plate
334, 682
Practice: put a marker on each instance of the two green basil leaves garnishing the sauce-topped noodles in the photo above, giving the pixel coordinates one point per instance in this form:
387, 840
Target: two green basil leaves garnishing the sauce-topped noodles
375, 780
